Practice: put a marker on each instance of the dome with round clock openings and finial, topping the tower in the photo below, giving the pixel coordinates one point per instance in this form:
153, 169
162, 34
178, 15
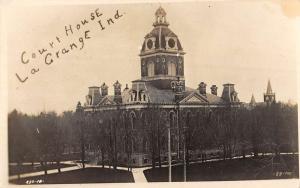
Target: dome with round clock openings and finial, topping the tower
161, 38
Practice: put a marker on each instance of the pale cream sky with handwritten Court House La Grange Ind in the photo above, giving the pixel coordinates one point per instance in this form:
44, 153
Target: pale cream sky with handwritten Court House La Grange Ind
244, 42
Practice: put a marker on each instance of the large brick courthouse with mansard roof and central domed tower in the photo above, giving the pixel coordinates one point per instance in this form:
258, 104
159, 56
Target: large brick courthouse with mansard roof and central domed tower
137, 117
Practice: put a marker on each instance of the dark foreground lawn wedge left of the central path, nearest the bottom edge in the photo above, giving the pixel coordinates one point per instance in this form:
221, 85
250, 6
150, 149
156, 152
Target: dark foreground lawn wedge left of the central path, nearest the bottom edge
87, 175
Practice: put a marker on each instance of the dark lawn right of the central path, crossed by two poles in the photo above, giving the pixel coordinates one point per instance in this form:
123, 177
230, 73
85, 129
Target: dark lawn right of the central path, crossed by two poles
230, 170
